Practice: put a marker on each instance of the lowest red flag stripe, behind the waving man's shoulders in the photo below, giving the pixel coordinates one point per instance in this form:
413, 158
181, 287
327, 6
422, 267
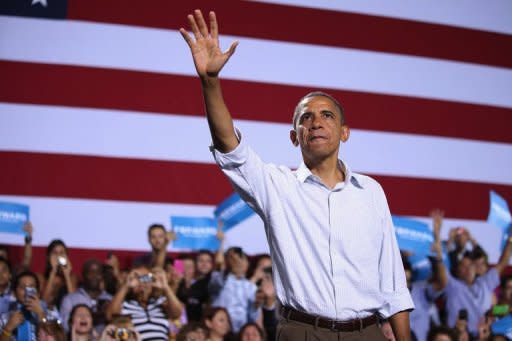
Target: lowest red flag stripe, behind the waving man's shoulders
34, 174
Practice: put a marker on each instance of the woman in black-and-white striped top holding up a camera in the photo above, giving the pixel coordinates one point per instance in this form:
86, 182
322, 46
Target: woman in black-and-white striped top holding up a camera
147, 298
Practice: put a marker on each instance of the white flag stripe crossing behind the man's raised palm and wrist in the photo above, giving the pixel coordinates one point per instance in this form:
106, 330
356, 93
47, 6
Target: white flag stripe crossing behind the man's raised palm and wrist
157, 50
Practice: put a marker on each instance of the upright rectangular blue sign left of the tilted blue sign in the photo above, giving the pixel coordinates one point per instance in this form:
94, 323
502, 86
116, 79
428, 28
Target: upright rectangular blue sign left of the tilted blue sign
194, 233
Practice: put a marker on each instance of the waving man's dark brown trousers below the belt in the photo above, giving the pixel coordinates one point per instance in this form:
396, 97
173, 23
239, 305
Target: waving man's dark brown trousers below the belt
288, 330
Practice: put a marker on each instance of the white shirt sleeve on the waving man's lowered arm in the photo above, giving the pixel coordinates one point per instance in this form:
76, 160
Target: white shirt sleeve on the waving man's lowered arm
393, 284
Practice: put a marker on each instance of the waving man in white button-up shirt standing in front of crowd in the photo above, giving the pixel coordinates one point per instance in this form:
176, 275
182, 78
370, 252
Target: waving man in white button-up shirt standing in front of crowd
337, 267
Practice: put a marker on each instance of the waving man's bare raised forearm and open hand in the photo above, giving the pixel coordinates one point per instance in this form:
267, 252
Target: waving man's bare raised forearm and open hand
209, 61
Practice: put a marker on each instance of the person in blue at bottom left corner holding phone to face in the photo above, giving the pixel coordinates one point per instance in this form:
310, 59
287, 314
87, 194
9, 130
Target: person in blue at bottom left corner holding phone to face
21, 320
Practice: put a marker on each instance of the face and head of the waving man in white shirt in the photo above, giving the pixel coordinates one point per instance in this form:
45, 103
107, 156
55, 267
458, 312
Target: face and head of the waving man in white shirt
319, 129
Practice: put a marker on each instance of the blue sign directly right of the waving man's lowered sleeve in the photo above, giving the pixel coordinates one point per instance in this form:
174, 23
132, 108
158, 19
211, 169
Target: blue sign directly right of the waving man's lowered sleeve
412, 235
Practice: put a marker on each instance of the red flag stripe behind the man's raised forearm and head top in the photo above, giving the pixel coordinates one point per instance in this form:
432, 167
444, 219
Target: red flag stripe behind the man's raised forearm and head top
160, 93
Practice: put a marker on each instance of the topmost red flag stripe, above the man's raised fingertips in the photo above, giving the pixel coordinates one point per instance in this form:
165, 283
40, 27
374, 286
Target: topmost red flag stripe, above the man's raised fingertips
312, 26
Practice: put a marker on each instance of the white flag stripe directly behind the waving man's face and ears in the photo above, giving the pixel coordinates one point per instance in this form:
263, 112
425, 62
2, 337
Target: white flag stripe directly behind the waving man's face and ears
124, 134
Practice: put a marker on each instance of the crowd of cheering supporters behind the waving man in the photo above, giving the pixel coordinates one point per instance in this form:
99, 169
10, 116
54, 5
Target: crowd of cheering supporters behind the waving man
228, 295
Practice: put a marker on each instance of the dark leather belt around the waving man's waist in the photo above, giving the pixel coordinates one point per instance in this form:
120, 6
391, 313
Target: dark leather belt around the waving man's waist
322, 322
